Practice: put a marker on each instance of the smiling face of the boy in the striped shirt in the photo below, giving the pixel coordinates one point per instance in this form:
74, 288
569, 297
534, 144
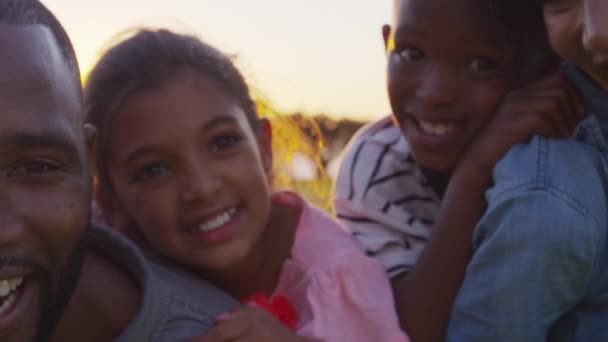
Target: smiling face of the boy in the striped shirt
449, 69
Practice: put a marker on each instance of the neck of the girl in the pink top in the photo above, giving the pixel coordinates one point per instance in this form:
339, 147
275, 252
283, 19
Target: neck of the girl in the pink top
261, 271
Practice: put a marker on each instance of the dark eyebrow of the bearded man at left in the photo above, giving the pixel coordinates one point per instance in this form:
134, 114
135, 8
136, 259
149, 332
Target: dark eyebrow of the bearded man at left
48, 140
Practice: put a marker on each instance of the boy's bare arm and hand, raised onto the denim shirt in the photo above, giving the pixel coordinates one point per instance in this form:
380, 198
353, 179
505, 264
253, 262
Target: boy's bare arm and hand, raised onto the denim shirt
424, 296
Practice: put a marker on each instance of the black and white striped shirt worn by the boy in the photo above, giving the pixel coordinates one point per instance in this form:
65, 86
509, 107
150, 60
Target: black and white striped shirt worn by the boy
383, 197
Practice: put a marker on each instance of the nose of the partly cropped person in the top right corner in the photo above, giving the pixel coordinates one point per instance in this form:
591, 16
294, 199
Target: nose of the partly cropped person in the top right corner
595, 26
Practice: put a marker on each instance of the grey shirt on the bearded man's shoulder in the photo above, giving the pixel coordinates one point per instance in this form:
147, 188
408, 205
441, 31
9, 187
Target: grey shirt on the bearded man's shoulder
175, 305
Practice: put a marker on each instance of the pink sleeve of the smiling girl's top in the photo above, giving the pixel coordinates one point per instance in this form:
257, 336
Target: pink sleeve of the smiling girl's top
352, 302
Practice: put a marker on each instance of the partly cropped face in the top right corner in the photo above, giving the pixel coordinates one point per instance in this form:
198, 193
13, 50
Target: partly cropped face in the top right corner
578, 30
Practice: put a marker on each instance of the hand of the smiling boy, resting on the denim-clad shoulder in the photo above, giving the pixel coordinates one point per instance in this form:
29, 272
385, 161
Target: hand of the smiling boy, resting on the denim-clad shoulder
549, 107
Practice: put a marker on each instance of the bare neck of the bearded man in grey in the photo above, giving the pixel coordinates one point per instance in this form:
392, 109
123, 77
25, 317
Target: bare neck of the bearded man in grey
105, 300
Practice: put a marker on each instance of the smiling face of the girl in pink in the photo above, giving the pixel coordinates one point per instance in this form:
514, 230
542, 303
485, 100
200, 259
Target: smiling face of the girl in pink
190, 173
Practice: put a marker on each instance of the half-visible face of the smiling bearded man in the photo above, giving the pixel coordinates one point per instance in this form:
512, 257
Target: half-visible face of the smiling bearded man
45, 186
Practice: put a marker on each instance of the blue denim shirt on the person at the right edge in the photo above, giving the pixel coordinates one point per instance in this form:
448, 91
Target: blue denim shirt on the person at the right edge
540, 265
